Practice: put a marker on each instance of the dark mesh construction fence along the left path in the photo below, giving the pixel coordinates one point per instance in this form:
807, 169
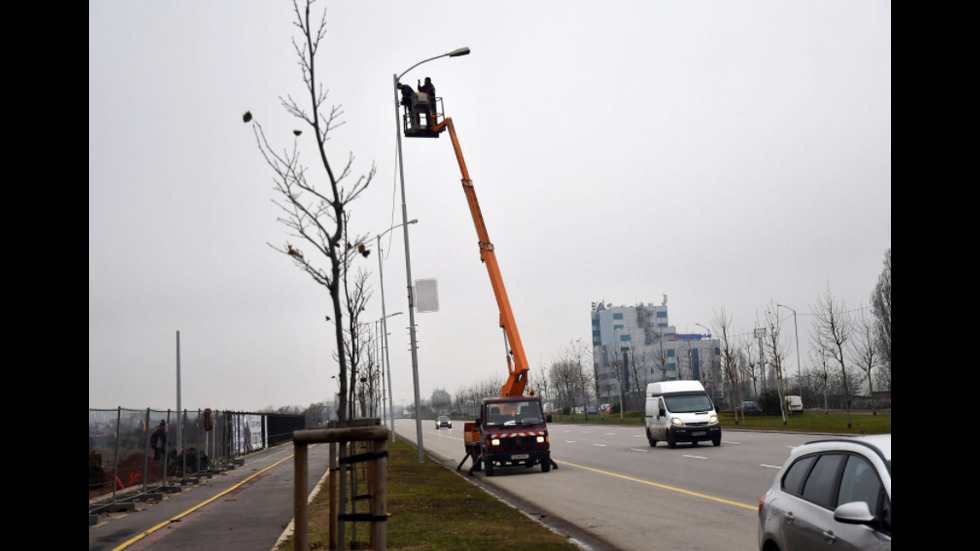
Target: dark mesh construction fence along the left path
139, 454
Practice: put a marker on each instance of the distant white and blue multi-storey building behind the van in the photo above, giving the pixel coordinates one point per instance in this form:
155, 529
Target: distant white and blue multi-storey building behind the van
636, 345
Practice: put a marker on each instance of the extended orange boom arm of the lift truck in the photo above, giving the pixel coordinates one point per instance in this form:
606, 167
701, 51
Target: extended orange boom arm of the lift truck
518, 369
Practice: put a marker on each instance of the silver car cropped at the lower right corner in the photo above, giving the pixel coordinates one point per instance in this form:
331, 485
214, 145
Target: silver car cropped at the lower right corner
836, 492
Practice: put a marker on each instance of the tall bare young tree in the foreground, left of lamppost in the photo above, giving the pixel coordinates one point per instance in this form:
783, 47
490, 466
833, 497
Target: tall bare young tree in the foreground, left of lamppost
314, 212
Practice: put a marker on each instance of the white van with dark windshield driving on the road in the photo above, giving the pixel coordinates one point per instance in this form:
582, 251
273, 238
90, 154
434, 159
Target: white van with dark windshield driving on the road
680, 411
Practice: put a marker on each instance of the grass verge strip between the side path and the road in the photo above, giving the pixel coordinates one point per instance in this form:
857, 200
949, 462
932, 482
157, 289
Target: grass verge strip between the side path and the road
434, 508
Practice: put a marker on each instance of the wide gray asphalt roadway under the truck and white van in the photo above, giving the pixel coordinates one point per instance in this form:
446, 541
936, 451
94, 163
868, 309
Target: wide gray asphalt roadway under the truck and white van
613, 486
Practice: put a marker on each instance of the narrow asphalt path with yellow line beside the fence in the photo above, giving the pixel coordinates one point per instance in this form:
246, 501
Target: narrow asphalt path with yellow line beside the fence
246, 508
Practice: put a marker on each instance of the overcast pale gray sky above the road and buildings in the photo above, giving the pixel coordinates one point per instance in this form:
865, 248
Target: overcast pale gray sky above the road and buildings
730, 154
